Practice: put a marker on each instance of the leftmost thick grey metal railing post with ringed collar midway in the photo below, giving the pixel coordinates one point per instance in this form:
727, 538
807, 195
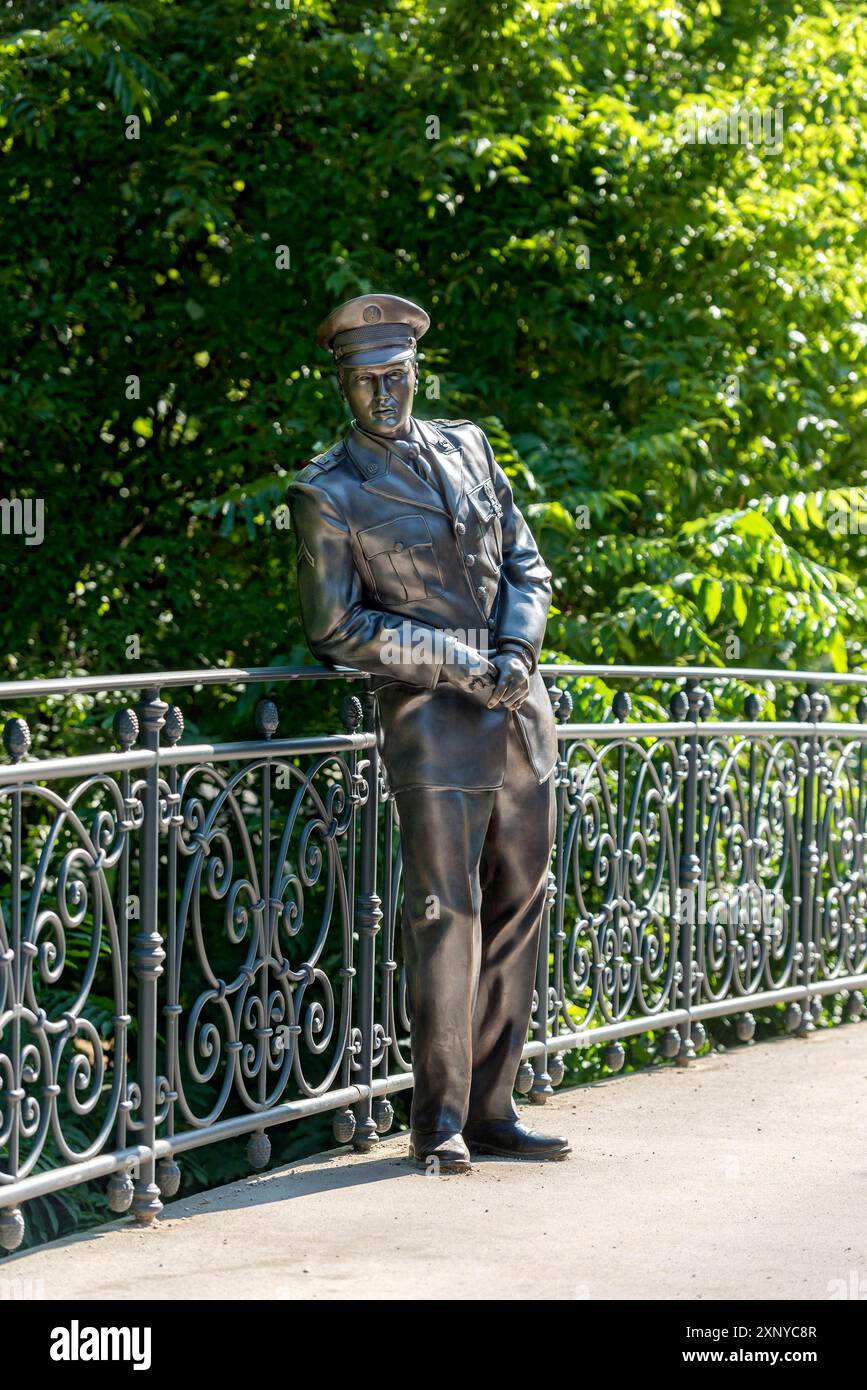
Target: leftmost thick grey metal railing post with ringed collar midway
148, 958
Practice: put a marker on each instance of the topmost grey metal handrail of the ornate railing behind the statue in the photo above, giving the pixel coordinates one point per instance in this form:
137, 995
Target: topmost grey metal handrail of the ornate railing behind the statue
13, 692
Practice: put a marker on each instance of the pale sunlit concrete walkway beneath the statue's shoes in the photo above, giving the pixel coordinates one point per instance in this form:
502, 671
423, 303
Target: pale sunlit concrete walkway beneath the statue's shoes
744, 1177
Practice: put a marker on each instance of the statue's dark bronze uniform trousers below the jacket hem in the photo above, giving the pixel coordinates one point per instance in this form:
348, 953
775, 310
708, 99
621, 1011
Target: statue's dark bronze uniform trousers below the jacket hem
474, 882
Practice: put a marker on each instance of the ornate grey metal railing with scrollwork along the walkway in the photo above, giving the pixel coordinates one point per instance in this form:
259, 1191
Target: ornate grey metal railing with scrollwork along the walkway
201, 942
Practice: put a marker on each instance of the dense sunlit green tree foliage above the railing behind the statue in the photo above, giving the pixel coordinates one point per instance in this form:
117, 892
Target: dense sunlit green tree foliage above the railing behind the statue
662, 337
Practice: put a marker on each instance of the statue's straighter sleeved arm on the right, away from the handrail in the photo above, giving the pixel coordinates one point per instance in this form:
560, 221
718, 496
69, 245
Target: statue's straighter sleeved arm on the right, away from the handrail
526, 591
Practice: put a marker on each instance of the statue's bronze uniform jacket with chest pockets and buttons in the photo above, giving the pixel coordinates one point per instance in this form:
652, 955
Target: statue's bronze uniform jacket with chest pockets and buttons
383, 553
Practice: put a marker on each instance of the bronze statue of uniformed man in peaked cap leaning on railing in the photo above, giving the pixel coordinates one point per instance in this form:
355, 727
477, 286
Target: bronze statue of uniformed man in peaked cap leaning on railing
416, 566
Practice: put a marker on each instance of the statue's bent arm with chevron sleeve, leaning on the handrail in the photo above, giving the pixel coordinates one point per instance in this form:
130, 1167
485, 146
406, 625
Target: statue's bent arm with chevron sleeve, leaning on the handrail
340, 628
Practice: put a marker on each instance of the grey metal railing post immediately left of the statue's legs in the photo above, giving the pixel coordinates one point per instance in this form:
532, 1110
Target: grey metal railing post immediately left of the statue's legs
369, 917
